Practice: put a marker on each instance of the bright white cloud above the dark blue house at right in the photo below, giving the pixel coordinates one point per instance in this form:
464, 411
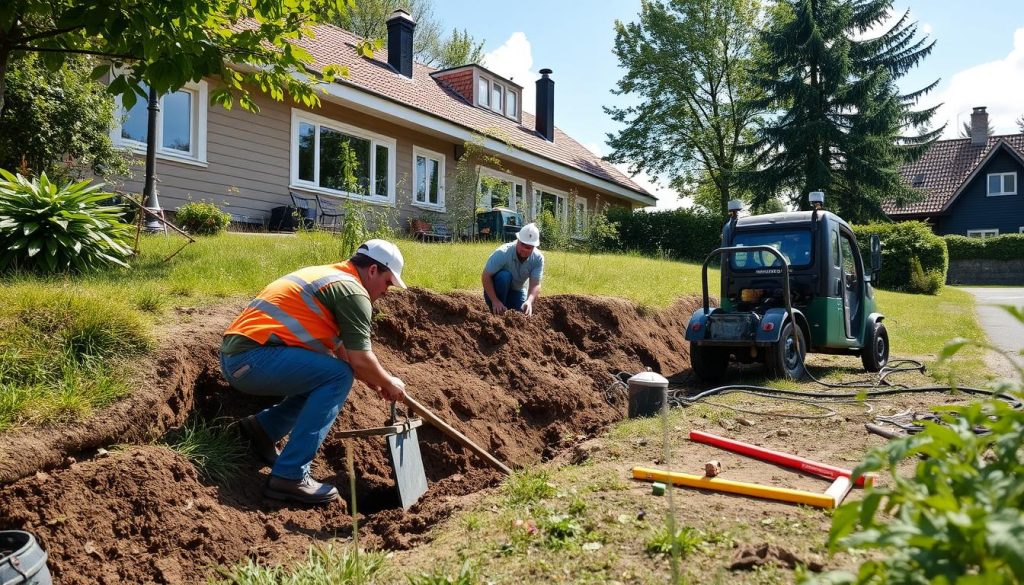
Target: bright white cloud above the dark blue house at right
997, 86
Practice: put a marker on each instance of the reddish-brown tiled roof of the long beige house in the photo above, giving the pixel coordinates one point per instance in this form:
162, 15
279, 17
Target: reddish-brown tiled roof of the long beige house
333, 46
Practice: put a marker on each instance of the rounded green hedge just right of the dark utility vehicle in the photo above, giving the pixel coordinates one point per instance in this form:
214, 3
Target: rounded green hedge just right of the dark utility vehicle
914, 260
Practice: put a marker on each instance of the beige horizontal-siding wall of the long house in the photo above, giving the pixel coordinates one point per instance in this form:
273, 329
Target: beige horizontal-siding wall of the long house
249, 155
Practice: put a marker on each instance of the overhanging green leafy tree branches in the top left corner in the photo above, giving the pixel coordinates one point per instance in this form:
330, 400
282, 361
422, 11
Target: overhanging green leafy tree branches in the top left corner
167, 45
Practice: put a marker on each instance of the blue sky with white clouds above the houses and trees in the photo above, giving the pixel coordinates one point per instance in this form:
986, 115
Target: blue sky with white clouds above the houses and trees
979, 57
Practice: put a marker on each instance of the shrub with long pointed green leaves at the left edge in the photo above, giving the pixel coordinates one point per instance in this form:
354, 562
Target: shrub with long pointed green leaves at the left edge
49, 228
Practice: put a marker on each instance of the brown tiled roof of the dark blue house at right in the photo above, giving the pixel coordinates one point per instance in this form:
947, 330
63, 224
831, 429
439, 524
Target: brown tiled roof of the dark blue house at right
945, 169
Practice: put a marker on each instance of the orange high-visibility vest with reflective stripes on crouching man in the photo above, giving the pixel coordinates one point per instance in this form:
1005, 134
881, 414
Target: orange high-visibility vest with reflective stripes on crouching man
288, 309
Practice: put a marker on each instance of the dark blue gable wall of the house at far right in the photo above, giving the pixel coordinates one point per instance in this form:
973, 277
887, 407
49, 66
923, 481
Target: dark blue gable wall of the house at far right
975, 211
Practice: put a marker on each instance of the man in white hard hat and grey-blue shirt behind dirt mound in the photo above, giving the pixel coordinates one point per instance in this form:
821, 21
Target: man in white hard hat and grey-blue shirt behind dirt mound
510, 269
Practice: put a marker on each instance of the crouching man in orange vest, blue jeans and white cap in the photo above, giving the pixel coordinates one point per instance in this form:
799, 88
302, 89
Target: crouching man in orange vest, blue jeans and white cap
305, 339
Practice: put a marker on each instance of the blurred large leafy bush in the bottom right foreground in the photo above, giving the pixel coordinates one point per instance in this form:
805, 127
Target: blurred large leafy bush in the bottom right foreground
959, 518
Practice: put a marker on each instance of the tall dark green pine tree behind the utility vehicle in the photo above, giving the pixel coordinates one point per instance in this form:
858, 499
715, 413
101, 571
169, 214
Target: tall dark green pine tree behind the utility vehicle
840, 119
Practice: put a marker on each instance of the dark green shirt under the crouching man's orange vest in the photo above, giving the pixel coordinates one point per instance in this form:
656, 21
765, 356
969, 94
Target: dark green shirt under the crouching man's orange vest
350, 305
